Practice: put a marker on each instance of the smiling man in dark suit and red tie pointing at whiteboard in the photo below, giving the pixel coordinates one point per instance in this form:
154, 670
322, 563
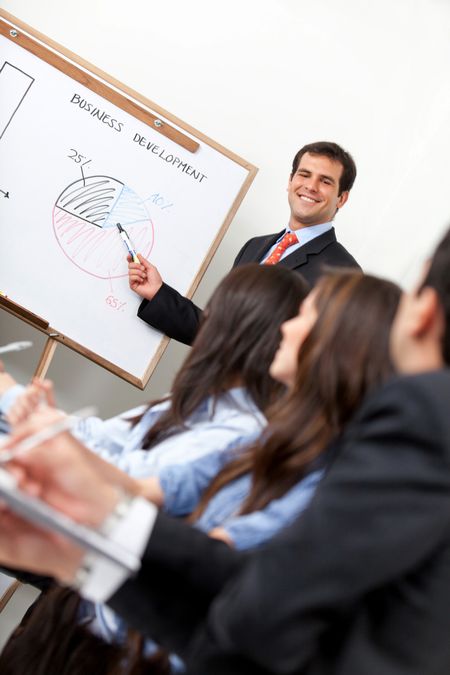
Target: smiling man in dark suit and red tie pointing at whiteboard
319, 184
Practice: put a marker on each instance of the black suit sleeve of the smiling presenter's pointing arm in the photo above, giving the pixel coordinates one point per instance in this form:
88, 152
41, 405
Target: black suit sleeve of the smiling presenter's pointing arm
172, 314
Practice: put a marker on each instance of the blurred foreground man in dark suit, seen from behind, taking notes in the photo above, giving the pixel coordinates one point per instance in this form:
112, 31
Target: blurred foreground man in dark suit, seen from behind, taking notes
358, 585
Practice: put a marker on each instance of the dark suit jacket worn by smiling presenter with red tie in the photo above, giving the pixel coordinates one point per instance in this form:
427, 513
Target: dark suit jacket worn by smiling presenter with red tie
179, 318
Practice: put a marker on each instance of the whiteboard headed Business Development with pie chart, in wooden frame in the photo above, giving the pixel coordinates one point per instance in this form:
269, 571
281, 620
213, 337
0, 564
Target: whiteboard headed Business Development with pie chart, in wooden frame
79, 153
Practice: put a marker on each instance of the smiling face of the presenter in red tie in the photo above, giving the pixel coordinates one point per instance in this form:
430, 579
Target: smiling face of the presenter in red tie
313, 191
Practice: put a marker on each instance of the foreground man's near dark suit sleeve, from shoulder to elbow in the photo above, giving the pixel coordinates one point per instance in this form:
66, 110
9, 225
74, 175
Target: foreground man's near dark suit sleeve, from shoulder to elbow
379, 513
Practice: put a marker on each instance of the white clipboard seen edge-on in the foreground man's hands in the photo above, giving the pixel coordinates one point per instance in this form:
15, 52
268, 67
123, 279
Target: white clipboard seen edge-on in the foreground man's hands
44, 516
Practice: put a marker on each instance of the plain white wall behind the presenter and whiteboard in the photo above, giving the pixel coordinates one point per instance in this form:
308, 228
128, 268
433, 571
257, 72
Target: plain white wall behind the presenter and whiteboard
262, 78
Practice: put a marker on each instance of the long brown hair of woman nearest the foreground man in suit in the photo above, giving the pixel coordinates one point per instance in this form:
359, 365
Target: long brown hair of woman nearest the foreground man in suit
345, 355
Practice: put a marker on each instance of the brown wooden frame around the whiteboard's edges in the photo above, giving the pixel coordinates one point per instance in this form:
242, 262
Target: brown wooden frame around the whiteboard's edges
135, 104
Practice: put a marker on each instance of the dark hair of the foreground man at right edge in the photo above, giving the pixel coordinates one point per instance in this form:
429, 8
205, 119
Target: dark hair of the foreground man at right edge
438, 277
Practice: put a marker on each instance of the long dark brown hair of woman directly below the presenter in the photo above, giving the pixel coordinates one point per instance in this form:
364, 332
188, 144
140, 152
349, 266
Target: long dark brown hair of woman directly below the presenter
237, 340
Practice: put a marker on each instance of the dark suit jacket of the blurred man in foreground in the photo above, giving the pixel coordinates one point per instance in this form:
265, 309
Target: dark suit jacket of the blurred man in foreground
358, 585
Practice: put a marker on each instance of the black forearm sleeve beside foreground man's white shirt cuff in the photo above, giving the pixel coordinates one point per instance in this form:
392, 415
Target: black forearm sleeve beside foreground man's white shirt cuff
182, 571
